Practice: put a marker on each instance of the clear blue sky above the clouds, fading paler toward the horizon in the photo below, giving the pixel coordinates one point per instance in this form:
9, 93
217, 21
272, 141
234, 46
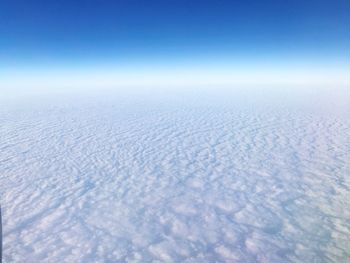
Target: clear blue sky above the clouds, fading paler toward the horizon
57, 37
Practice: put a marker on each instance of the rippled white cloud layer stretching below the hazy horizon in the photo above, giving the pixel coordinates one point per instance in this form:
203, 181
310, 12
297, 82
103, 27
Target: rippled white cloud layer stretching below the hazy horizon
154, 180
